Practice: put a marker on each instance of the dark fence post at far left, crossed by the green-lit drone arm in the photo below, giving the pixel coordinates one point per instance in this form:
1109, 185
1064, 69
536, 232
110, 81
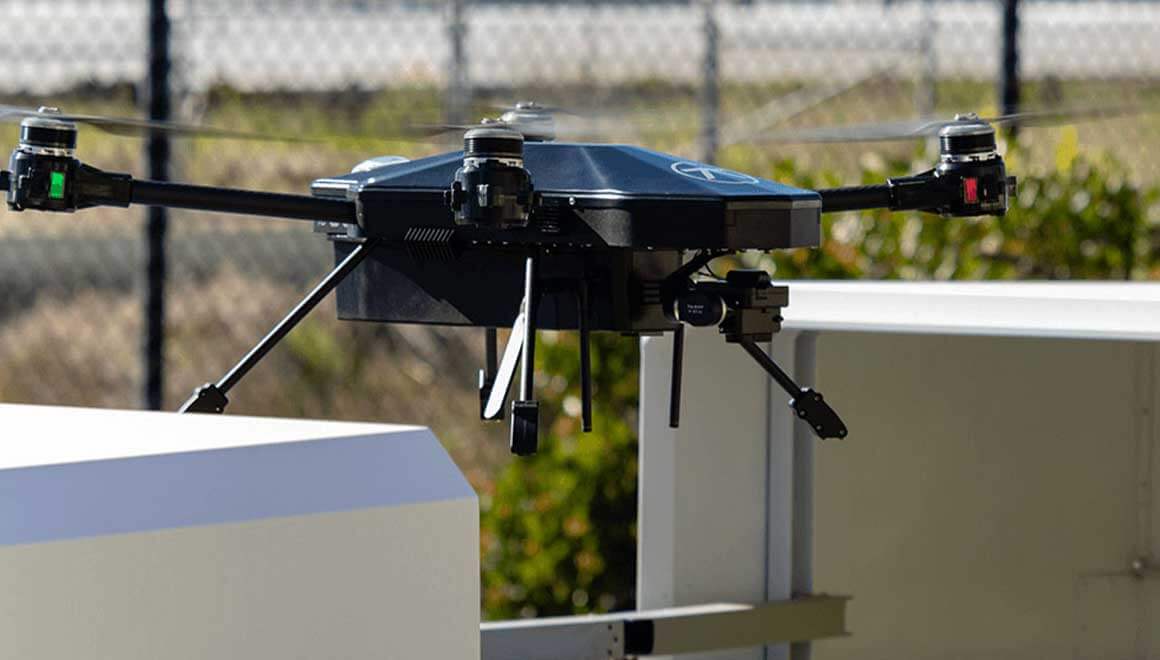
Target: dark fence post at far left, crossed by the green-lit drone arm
157, 154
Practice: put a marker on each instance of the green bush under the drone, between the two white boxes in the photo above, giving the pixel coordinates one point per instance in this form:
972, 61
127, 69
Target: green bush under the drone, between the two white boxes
559, 533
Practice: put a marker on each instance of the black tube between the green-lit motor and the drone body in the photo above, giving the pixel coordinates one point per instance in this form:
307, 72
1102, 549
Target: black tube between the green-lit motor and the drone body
248, 202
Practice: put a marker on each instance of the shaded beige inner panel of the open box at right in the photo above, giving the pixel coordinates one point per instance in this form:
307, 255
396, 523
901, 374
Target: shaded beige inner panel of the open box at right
991, 498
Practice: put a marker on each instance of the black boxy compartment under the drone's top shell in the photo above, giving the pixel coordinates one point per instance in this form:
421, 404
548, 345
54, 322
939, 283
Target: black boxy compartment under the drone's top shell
485, 288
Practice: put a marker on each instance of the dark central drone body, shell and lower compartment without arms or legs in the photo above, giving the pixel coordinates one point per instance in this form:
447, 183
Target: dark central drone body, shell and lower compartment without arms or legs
613, 219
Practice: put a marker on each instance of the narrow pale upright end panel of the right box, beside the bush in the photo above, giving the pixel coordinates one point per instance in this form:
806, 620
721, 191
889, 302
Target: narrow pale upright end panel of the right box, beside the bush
710, 488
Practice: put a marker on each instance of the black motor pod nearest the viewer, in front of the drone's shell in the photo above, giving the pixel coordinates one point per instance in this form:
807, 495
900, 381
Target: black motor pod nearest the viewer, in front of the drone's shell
492, 188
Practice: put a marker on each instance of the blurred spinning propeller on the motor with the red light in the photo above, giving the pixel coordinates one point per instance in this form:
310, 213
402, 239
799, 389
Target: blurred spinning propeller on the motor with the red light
926, 128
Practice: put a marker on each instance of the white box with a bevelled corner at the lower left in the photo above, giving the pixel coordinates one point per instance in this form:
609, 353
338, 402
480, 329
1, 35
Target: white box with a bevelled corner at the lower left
139, 535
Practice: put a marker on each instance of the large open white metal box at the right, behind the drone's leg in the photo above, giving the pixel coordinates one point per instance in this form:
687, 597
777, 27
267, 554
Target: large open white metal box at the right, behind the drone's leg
998, 496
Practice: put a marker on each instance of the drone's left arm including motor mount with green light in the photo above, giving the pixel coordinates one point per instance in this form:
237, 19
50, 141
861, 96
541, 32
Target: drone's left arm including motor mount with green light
68, 185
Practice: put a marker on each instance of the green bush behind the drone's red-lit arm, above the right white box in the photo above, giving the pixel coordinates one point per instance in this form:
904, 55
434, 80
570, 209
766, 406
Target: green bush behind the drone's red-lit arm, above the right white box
1084, 220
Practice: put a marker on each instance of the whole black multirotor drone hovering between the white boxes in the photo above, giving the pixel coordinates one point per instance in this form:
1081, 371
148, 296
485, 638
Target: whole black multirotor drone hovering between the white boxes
519, 230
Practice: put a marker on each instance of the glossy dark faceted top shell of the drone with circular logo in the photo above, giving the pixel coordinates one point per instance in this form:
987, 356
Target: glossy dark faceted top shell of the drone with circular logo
594, 195
